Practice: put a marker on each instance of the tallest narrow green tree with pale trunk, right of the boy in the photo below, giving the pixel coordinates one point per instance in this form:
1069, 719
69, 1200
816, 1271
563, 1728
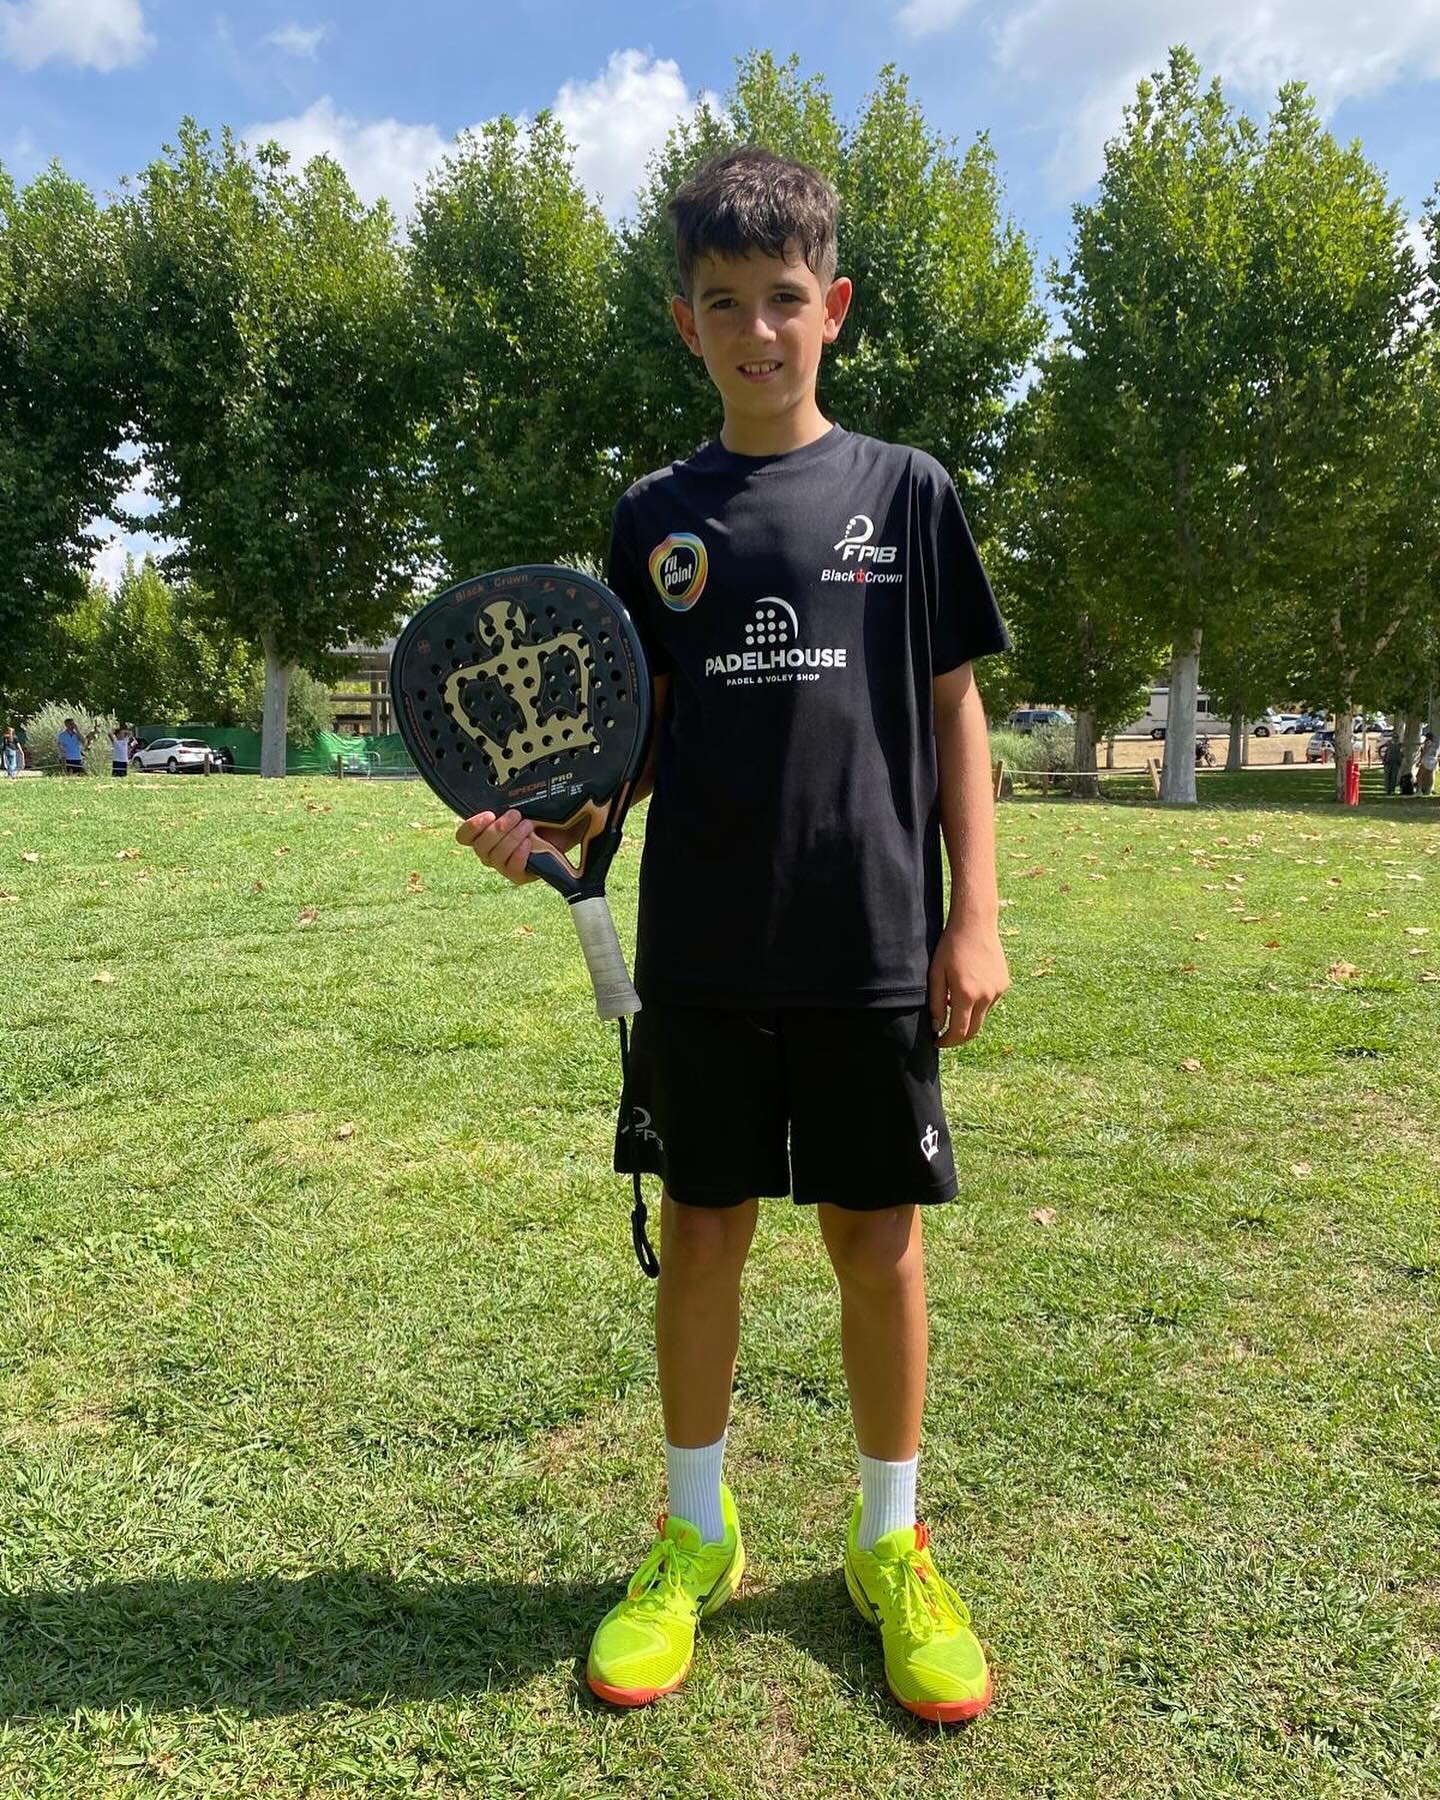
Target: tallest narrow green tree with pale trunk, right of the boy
1155, 307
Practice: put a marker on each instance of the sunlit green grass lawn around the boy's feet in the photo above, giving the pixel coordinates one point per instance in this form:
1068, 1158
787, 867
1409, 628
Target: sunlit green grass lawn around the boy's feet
328, 1421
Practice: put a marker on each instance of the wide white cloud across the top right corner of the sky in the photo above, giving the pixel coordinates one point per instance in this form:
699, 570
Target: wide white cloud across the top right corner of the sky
1090, 55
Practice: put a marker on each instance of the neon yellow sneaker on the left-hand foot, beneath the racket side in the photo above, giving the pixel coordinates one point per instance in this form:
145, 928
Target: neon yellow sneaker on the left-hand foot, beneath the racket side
645, 1644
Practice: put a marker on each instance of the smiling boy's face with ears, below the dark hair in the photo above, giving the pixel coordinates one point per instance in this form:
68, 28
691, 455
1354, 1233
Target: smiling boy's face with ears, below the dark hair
760, 325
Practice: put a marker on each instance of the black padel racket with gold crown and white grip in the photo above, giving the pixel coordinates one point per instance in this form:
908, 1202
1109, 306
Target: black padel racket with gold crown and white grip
526, 690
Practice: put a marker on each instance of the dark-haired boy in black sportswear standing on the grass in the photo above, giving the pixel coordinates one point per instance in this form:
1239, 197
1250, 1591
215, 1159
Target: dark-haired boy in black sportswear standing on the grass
811, 604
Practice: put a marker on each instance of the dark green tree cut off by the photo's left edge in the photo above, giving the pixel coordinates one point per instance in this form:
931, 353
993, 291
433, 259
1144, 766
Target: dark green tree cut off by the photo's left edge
64, 402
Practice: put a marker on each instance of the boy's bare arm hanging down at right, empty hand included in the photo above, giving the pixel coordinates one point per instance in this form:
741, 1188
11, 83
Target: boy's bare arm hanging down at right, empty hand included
967, 969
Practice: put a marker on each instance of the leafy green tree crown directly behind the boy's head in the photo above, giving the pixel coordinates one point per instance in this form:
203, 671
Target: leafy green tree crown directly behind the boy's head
944, 316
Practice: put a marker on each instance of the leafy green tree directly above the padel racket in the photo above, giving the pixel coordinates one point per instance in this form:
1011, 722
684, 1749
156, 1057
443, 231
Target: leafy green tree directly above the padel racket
510, 260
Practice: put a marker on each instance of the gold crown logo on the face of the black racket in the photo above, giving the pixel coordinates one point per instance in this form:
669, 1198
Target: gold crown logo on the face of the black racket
539, 694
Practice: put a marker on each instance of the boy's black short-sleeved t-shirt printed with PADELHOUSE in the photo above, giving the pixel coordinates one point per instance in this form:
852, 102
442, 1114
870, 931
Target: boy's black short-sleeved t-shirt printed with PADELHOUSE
802, 606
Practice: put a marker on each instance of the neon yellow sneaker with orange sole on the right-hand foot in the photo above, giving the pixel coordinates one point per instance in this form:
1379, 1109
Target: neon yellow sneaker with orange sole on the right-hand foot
933, 1660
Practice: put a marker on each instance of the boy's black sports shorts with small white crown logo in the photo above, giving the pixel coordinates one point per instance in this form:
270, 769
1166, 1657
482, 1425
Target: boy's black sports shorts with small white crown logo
724, 1106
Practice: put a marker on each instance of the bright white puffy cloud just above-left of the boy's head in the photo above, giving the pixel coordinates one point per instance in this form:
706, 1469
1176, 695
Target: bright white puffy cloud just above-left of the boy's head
618, 120
